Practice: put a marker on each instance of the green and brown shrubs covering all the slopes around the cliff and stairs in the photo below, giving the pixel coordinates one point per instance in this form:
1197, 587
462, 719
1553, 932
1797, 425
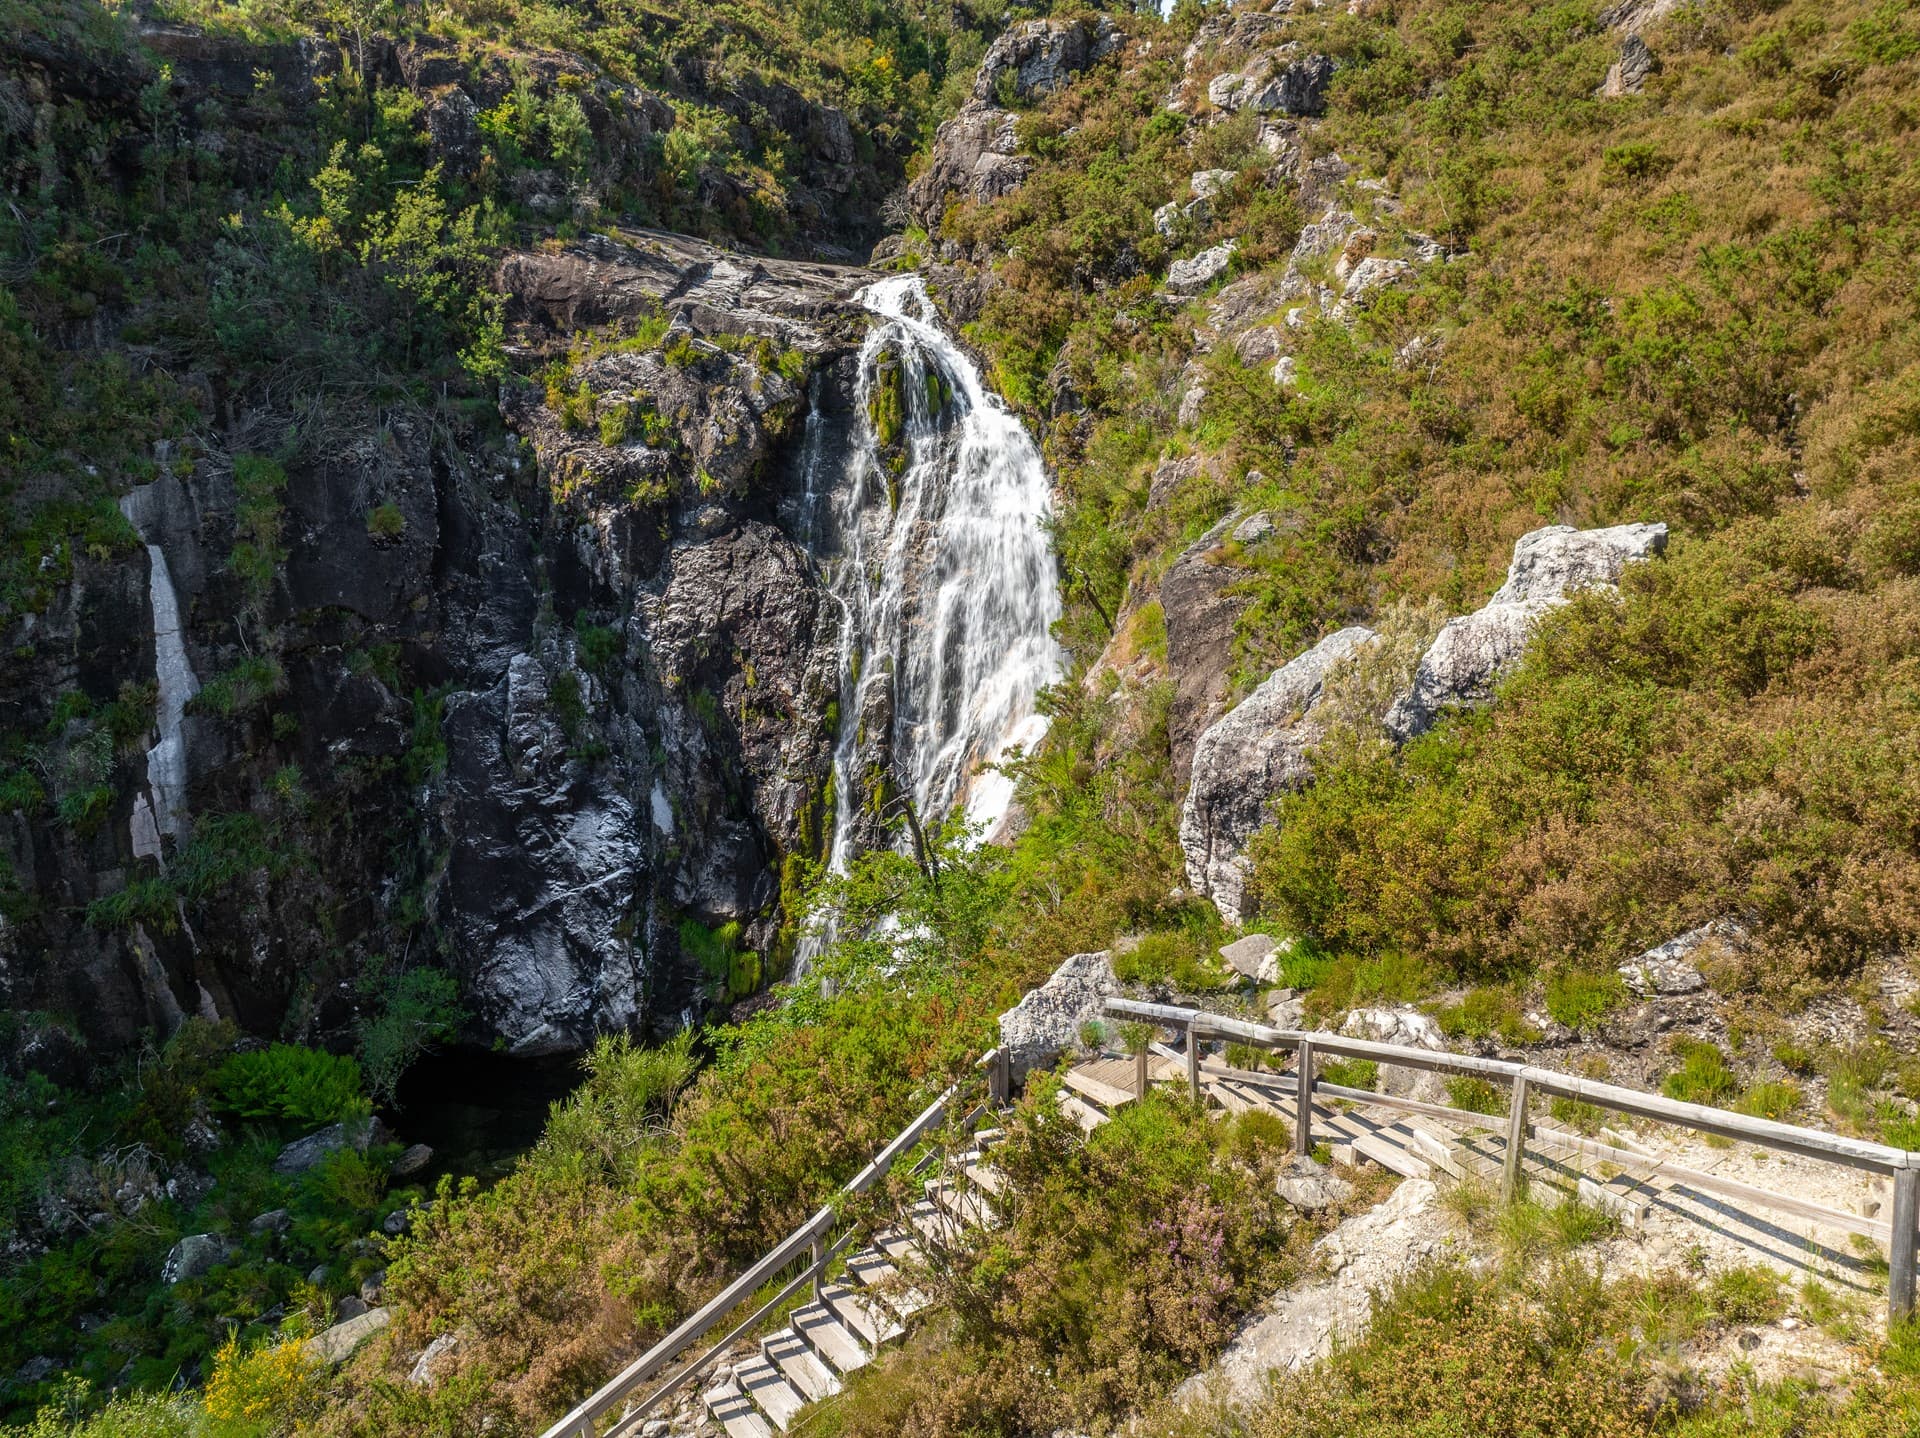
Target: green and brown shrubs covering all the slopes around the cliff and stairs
1696, 304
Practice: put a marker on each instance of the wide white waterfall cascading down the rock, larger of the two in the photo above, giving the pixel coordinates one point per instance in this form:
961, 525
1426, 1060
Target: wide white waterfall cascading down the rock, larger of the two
936, 550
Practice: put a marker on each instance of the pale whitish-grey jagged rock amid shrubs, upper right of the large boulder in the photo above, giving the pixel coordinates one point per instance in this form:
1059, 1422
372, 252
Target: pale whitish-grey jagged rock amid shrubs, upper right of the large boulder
1472, 652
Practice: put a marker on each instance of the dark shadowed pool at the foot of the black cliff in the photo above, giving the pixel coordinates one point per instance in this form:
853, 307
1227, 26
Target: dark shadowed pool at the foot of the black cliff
479, 1109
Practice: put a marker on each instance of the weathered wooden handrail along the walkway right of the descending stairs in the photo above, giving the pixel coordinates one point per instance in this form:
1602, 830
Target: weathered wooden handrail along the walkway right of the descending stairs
1525, 1080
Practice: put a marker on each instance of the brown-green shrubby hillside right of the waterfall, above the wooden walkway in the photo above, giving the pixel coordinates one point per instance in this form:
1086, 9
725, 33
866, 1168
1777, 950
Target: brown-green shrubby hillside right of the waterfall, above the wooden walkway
1692, 306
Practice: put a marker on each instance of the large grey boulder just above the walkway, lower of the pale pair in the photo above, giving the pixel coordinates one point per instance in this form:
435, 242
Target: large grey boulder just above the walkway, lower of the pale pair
1247, 761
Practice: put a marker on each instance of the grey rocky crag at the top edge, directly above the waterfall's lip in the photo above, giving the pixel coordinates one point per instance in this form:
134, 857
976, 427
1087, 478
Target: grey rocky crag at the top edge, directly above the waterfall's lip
974, 153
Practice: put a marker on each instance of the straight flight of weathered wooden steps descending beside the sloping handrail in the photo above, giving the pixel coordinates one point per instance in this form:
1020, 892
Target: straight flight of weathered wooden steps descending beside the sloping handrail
853, 1318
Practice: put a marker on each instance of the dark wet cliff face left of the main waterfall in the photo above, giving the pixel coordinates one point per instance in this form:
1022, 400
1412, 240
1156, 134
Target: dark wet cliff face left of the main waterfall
552, 696
